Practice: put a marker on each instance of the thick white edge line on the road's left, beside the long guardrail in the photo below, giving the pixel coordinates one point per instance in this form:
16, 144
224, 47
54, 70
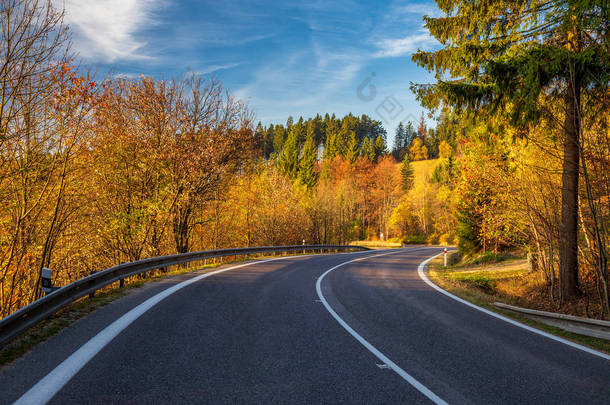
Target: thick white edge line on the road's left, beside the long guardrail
46, 388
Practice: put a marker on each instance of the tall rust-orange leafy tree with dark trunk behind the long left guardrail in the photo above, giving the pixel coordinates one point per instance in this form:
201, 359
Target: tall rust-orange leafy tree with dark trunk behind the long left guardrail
215, 137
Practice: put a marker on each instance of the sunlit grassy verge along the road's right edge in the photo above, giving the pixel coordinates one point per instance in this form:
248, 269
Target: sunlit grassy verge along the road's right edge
478, 284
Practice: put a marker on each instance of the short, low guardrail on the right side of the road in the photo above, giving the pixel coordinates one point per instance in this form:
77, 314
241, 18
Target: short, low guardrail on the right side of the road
576, 324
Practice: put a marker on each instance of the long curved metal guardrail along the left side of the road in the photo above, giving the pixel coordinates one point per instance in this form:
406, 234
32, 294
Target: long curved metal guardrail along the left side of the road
27, 317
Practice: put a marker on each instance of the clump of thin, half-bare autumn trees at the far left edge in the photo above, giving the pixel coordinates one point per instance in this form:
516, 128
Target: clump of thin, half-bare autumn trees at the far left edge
34, 154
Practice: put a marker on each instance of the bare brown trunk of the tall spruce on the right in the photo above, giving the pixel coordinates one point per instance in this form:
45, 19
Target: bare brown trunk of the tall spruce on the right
568, 259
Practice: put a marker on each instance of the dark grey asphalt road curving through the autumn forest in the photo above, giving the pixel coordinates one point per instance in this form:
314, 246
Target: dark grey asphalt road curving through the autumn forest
262, 334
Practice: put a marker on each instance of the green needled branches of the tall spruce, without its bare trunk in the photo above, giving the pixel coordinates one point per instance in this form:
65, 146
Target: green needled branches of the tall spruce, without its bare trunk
499, 53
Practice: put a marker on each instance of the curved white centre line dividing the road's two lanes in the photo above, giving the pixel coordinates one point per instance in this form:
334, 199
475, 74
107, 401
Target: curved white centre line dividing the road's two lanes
407, 377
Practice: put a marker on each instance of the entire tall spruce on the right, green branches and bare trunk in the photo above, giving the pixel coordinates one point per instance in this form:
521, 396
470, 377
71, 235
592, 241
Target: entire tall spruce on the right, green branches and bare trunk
514, 57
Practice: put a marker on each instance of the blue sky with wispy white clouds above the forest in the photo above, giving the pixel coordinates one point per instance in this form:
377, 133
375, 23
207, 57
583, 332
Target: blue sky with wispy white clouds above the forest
282, 57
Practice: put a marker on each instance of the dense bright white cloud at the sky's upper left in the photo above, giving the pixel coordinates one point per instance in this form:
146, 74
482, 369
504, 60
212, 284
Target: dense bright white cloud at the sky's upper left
107, 30
